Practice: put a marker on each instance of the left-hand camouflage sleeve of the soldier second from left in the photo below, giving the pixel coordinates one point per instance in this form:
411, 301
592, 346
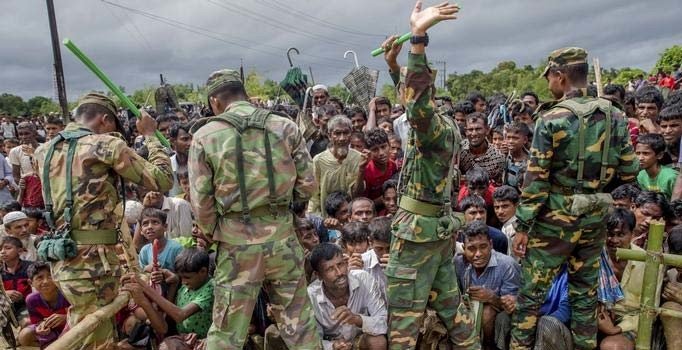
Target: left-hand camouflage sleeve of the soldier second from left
201, 192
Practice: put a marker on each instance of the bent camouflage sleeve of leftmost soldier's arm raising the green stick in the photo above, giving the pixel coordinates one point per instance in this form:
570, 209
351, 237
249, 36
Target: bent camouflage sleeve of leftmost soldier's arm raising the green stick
154, 174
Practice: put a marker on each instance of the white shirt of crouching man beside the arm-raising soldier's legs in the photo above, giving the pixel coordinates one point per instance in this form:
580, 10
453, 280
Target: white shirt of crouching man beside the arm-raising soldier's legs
364, 300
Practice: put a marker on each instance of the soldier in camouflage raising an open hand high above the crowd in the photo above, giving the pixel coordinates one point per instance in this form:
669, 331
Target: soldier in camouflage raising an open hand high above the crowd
420, 271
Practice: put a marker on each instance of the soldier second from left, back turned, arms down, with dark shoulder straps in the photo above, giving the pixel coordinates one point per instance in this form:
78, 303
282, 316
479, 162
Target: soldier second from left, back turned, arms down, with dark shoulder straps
247, 165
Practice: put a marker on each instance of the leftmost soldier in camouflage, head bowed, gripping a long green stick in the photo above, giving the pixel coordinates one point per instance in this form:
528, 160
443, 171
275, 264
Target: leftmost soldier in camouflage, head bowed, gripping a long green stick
90, 279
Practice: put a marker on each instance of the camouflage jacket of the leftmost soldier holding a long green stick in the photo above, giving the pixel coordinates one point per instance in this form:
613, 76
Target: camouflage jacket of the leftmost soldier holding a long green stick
98, 161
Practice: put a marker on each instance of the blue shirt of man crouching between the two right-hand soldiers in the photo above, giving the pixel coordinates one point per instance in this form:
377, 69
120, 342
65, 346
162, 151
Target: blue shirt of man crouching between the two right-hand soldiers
501, 275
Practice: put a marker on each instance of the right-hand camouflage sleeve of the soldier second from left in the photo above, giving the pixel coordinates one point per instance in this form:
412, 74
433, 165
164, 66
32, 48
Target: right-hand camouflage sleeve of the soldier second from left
305, 178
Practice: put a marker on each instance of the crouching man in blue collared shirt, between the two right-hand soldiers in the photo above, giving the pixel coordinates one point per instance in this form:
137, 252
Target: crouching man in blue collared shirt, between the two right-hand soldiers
489, 277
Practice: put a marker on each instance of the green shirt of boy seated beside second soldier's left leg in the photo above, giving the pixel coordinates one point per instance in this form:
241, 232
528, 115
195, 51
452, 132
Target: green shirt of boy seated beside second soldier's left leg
201, 320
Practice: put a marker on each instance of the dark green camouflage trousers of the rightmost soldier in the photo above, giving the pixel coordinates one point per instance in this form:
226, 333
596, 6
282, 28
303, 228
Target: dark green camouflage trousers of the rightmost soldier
556, 238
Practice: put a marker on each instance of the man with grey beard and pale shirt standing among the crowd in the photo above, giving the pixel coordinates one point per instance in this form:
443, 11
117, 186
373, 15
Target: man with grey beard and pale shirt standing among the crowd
339, 168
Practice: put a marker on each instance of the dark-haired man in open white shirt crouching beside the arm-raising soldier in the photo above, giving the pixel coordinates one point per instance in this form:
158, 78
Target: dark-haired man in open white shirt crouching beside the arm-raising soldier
348, 306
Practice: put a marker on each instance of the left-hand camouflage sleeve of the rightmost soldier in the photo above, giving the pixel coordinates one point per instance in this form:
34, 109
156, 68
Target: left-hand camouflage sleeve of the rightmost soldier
536, 180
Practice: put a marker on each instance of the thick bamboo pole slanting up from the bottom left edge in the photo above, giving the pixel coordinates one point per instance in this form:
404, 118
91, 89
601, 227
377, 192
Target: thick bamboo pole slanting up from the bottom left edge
75, 335
